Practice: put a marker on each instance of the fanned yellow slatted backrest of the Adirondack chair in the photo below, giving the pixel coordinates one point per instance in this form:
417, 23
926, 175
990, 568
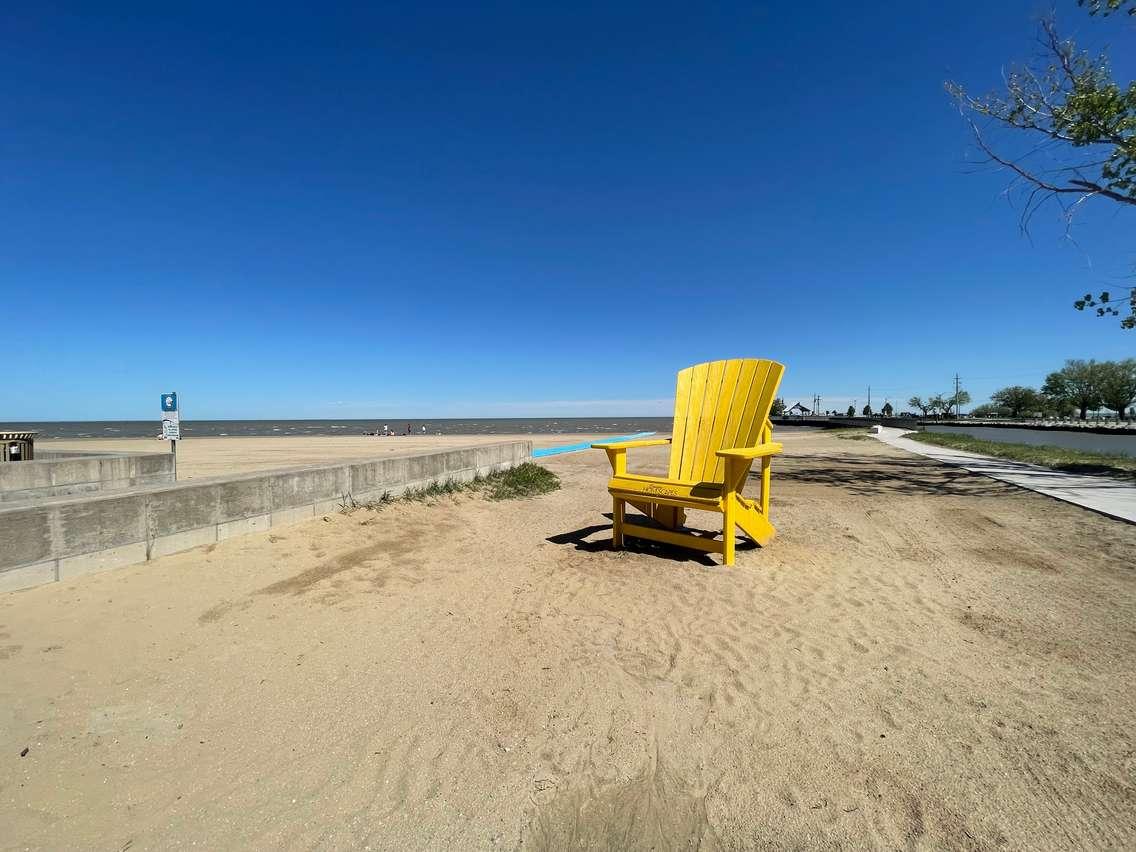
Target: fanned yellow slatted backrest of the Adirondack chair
720, 405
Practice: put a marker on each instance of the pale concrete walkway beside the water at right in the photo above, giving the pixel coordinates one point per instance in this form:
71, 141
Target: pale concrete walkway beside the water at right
1104, 495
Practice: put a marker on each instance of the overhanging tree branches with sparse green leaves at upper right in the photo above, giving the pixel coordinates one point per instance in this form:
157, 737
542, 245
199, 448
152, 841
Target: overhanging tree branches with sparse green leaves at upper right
1075, 127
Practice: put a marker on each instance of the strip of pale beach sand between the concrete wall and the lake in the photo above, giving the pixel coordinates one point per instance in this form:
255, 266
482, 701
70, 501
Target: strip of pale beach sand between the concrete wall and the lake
201, 457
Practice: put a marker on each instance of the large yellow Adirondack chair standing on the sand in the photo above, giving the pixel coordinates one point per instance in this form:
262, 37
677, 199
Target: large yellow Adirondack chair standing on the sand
722, 425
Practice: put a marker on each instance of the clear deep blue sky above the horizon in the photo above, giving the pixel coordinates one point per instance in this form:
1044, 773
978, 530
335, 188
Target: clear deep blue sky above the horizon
512, 210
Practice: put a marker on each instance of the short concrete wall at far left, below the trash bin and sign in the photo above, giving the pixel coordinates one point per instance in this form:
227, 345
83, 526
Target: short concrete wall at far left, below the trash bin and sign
62, 474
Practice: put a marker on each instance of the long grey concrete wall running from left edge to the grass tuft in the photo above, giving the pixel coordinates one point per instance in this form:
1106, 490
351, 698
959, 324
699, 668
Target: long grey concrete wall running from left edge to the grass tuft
60, 539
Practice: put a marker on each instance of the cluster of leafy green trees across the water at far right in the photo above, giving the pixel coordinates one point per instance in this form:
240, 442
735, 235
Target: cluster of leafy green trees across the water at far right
1076, 389
